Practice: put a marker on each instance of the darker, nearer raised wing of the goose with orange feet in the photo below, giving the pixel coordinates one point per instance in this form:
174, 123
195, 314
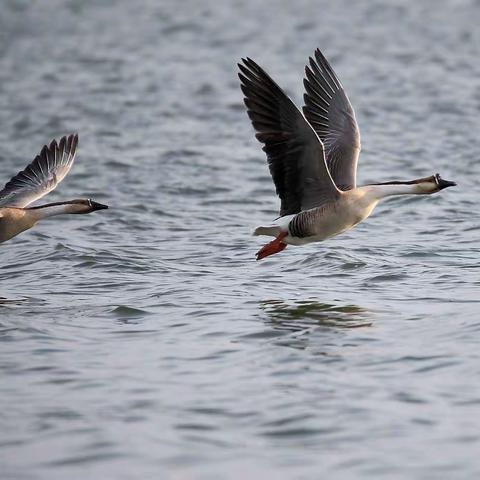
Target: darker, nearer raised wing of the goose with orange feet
295, 153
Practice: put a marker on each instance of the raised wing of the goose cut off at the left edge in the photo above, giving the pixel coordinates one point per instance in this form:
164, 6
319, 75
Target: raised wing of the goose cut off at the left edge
46, 171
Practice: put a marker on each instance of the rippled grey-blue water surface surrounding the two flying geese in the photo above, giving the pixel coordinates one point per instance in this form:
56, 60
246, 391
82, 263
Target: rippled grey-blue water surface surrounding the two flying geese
145, 341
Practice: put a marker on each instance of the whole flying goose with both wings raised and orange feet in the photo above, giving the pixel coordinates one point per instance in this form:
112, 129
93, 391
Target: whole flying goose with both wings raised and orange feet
312, 155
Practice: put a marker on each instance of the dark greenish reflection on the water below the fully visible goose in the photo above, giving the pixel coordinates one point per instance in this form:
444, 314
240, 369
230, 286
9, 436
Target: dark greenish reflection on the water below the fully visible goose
304, 314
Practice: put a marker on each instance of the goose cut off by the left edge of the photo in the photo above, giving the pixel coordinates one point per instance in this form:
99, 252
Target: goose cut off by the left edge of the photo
46, 171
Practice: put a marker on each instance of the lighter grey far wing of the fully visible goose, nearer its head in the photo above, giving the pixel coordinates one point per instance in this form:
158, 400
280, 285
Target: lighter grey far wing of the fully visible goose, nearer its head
331, 114
